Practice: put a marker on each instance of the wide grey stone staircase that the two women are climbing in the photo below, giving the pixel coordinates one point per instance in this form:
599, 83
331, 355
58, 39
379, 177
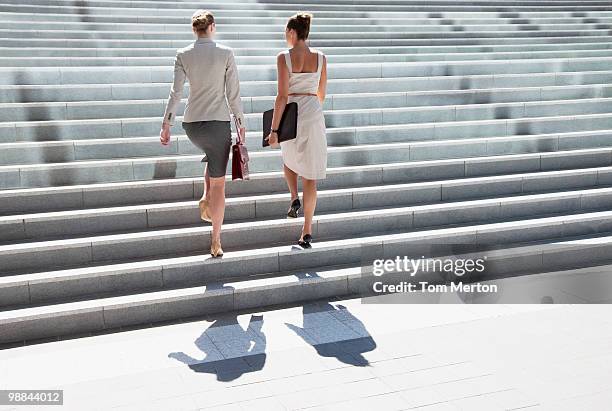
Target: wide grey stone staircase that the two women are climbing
449, 121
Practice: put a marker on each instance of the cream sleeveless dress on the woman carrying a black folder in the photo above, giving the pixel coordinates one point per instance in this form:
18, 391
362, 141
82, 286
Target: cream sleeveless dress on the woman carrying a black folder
306, 155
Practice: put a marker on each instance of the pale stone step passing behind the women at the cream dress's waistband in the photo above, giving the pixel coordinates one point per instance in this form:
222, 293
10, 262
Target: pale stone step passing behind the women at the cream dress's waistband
551, 85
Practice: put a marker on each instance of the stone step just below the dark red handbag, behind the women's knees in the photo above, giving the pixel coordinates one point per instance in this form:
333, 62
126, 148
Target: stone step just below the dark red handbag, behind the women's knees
31, 200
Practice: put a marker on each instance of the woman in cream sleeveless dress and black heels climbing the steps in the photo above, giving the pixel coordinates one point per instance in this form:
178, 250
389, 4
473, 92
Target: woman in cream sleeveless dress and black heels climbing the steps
302, 78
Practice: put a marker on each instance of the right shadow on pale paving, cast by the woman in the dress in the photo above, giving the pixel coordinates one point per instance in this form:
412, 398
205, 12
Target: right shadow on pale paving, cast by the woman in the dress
334, 332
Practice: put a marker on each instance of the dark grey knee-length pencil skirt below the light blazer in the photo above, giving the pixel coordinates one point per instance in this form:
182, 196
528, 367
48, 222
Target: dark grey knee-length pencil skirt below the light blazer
214, 138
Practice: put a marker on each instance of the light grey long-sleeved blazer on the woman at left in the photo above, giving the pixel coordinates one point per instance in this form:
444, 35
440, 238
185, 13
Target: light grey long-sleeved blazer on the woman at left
214, 88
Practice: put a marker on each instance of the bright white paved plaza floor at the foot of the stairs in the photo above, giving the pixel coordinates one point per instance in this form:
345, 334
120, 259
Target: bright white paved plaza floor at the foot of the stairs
337, 355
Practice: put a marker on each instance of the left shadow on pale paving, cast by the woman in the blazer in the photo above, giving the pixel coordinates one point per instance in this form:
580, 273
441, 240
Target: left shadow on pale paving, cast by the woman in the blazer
231, 351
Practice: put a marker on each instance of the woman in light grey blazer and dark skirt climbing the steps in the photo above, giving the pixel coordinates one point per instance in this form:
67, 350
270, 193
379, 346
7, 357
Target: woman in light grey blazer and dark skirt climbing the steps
214, 92
